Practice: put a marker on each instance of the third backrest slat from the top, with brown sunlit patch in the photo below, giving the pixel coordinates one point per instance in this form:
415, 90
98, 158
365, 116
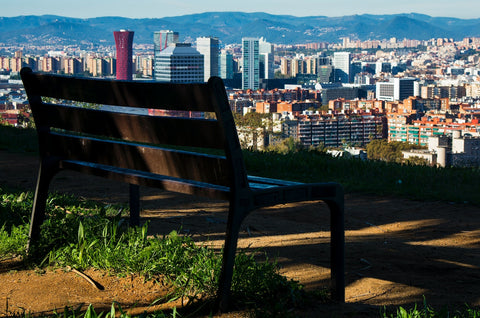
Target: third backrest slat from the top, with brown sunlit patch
167, 162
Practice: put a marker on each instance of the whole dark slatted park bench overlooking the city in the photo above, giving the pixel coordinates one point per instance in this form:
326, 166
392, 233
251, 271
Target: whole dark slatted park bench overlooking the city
196, 155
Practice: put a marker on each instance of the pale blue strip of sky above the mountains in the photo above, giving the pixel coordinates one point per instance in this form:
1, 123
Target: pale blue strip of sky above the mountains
464, 9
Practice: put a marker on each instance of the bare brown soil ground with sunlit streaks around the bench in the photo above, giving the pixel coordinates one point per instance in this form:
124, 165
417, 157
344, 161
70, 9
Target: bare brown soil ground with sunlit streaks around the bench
398, 251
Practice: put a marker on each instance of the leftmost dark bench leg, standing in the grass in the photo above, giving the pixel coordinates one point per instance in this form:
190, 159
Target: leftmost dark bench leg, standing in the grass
45, 174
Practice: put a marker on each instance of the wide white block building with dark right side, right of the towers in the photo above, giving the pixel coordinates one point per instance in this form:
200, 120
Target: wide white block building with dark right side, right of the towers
397, 89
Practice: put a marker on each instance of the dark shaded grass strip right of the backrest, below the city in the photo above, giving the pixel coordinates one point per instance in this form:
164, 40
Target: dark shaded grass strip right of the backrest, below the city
375, 177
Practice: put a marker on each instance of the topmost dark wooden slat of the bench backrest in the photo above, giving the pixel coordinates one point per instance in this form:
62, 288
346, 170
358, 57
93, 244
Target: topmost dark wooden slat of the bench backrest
185, 97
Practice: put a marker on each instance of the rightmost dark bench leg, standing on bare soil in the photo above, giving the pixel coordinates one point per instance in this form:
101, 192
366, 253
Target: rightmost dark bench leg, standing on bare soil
337, 245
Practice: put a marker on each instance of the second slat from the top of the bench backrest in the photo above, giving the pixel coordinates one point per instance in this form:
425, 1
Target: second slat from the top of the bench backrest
187, 132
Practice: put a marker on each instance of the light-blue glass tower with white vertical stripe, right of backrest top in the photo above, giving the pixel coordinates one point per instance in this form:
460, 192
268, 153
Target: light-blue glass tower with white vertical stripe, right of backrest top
251, 63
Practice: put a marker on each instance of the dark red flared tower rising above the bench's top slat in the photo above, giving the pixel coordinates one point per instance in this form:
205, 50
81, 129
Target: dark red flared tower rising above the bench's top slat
123, 43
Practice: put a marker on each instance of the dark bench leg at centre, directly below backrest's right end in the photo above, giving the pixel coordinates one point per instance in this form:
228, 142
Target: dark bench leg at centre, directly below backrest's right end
225, 281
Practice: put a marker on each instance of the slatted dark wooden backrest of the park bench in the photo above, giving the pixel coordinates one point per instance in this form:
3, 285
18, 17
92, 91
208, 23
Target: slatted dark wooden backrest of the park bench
173, 145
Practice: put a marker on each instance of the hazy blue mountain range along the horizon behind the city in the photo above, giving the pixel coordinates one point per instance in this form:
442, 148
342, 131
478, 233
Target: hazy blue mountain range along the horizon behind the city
230, 27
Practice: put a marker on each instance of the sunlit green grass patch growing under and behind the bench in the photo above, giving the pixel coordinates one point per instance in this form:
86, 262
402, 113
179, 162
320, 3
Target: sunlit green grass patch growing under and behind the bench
82, 234
